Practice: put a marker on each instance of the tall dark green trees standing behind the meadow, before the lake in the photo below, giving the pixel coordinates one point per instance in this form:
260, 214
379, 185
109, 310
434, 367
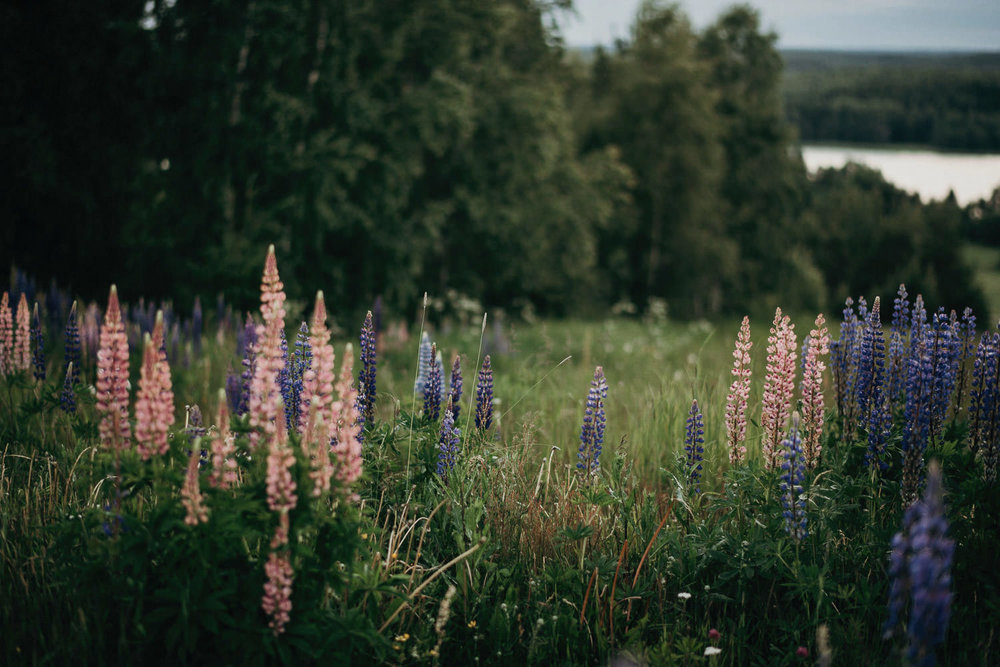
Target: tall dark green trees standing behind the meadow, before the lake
392, 149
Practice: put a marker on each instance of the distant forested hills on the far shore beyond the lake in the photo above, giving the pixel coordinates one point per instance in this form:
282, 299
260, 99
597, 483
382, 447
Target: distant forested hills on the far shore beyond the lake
945, 101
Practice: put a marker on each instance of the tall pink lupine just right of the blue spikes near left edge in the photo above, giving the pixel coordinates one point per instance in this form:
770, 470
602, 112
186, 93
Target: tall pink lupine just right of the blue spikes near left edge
112, 377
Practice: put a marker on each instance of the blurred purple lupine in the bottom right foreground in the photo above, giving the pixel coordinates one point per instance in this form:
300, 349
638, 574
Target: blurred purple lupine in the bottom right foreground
920, 569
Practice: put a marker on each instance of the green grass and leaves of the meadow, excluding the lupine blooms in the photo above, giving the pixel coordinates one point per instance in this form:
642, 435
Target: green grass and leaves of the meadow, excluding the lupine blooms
513, 556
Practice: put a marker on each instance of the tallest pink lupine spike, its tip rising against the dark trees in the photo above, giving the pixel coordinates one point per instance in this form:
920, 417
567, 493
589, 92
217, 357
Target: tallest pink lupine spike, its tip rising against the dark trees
265, 393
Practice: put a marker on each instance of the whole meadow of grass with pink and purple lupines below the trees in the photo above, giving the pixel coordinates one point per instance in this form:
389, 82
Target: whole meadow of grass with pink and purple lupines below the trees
582, 511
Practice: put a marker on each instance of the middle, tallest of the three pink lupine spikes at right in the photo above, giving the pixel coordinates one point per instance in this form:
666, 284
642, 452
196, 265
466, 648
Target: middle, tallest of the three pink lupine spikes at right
778, 387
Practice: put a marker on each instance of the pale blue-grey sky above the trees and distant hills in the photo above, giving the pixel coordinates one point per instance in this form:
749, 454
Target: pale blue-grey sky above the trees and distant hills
891, 25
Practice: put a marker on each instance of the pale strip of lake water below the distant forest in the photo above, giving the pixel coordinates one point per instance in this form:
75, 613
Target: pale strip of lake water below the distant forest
930, 174
